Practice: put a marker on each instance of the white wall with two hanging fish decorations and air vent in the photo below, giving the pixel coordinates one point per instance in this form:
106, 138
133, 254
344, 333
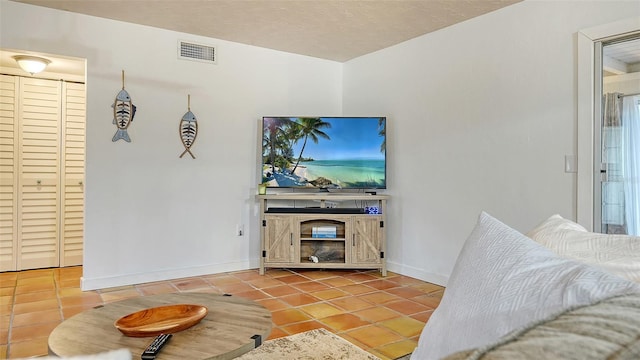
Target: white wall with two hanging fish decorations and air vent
150, 215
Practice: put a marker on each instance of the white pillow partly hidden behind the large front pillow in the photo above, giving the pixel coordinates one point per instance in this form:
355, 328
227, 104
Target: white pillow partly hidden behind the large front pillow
617, 254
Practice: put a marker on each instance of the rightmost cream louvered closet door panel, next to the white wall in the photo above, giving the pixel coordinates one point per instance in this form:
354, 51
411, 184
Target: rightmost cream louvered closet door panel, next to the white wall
72, 207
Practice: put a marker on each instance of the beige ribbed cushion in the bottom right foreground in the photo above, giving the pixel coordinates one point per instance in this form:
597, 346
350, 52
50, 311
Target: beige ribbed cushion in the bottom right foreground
608, 330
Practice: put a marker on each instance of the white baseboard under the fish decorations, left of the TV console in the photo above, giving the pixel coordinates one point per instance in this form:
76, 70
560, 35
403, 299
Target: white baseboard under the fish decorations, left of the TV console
162, 275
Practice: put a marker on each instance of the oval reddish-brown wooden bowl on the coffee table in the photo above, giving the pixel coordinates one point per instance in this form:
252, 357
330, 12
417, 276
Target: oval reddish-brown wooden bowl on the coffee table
161, 320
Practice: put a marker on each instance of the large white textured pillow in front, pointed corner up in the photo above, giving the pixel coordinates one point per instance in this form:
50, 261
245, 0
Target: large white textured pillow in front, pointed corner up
502, 281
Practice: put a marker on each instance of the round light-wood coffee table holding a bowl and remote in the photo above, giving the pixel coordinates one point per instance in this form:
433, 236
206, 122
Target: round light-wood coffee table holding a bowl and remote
225, 333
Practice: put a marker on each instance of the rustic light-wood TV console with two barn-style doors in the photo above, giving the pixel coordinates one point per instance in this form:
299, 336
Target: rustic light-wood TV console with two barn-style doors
325, 231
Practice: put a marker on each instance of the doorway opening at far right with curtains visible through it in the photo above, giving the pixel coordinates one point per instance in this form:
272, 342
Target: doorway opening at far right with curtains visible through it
617, 154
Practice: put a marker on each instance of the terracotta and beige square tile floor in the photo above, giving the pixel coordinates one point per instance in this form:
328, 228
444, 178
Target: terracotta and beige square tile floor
383, 315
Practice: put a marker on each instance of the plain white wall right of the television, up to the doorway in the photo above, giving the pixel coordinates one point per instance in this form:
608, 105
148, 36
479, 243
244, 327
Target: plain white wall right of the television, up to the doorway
481, 116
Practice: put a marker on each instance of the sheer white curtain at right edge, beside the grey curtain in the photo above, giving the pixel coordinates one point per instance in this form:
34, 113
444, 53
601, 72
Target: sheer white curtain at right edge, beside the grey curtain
630, 121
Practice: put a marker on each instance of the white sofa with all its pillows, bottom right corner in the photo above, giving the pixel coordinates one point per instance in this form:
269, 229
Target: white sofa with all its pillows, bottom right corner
559, 293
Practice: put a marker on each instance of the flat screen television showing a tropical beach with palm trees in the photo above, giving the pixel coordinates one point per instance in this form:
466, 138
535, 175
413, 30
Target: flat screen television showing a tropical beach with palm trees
324, 152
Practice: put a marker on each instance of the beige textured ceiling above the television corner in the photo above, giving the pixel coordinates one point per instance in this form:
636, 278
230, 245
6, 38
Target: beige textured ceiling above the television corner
337, 30
